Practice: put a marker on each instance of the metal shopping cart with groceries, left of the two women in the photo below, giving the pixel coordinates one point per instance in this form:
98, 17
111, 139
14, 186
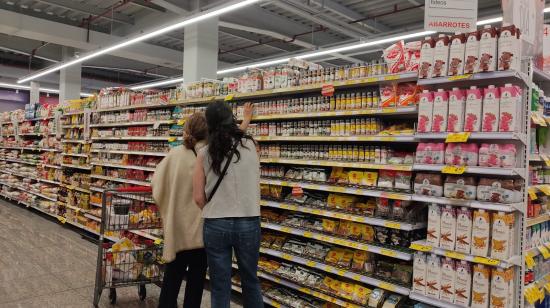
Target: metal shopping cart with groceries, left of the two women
130, 260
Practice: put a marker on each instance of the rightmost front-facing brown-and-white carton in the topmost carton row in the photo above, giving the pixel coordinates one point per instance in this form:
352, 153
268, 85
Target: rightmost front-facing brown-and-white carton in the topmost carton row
509, 48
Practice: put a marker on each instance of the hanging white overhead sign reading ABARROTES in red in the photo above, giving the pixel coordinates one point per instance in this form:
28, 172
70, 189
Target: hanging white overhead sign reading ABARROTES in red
450, 15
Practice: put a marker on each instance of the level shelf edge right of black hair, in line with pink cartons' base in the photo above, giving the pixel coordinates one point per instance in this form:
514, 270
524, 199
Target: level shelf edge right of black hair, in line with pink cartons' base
379, 138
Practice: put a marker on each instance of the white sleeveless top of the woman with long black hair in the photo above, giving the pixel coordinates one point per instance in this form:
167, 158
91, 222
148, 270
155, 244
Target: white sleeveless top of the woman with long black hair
239, 192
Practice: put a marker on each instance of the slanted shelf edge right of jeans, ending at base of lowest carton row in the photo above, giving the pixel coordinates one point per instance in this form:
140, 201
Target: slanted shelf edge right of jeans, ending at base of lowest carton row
338, 271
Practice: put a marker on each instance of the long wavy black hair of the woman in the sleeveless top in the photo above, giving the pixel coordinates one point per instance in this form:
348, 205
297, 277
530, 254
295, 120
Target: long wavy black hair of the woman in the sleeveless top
223, 132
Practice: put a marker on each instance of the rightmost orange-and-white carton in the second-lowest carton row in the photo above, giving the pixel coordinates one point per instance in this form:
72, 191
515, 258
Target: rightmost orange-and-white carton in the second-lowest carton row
502, 236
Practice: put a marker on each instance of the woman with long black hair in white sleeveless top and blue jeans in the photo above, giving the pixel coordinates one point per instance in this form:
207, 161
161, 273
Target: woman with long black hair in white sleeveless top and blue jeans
226, 186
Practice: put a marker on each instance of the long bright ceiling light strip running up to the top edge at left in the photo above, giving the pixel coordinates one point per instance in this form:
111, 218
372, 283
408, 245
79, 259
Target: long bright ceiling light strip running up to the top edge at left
234, 5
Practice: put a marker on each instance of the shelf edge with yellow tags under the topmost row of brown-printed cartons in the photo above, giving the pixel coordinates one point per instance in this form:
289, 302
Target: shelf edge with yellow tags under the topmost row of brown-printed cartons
476, 77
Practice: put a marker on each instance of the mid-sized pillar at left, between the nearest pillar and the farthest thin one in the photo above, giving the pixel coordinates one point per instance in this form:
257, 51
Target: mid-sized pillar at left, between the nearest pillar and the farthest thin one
69, 78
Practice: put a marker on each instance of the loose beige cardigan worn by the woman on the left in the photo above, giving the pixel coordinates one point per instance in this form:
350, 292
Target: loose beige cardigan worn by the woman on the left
173, 193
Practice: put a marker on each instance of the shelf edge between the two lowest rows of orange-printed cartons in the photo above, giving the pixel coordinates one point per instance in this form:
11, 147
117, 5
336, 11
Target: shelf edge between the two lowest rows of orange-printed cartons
425, 247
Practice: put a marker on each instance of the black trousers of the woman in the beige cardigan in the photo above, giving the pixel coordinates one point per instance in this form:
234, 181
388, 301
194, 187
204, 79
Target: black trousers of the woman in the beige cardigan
190, 262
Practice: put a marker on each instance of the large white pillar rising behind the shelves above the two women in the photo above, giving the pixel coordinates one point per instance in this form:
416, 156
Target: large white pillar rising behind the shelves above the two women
200, 50
